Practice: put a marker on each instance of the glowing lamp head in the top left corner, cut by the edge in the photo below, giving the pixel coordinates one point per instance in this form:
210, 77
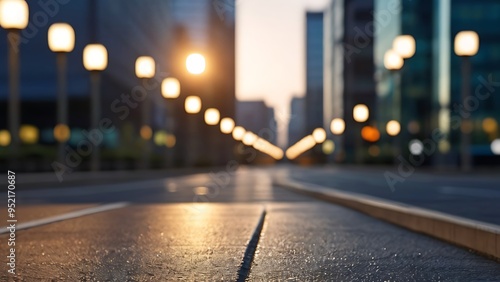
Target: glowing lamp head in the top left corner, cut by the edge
14, 14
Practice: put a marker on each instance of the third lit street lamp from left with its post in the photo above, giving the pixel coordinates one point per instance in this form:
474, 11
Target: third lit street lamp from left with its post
95, 60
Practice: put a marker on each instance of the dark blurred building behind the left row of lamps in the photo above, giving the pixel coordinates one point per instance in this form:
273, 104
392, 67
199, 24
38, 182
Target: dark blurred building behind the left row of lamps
128, 29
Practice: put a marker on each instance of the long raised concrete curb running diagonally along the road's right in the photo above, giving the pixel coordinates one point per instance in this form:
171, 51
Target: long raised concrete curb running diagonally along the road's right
480, 237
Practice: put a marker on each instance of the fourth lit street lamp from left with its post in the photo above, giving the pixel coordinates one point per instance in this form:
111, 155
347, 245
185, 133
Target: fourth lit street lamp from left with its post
145, 69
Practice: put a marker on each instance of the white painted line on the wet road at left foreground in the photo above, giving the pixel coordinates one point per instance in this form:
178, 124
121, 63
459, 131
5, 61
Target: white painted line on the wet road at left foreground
66, 216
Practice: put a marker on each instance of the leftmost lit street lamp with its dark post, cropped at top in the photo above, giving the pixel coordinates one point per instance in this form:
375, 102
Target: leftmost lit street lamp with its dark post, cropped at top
14, 16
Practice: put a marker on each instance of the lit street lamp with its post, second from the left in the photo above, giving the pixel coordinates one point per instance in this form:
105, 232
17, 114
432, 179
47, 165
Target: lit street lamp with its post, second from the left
61, 38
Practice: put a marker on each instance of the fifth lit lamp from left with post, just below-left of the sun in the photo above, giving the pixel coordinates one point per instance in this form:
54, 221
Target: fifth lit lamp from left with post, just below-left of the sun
170, 89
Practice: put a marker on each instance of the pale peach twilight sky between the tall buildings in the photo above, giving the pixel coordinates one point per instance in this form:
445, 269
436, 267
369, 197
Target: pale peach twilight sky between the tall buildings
270, 52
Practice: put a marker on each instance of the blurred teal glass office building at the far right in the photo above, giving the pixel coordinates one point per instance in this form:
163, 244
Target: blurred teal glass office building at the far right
430, 81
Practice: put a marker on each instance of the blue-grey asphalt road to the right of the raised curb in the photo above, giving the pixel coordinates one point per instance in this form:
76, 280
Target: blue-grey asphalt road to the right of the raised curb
474, 195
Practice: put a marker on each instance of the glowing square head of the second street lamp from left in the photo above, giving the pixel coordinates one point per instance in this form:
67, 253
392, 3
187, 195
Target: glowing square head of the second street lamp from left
61, 37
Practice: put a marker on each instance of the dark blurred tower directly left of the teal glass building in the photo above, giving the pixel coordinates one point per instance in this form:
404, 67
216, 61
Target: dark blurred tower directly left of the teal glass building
349, 72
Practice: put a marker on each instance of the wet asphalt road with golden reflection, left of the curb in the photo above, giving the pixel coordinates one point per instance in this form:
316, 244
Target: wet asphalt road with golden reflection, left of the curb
202, 228
